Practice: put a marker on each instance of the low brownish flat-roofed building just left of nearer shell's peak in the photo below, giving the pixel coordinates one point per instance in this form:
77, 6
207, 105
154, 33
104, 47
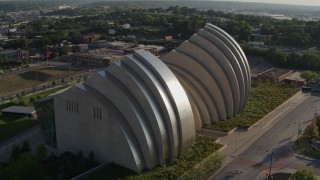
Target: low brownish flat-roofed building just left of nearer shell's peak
98, 57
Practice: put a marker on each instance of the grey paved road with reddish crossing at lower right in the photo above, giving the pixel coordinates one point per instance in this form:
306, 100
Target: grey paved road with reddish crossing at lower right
254, 162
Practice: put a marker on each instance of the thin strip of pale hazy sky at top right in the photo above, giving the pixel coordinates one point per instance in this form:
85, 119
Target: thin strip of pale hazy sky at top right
298, 2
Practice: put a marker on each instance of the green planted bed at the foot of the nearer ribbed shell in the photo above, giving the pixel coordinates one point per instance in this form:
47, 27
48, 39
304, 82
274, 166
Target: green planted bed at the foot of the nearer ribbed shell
199, 160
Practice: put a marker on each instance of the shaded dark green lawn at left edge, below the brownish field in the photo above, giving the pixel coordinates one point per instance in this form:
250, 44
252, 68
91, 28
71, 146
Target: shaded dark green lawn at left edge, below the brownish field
13, 125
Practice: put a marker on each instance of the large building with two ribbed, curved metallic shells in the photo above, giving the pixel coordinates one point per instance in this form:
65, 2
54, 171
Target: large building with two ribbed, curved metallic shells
142, 112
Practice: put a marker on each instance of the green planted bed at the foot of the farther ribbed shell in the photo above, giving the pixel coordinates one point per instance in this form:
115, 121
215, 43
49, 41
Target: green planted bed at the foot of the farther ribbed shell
261, 101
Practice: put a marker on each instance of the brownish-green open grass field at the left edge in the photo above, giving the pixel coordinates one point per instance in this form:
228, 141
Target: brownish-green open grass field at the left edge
29, 79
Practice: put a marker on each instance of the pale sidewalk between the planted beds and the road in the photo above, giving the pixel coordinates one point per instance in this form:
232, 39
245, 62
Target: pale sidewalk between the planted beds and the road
240, 139
